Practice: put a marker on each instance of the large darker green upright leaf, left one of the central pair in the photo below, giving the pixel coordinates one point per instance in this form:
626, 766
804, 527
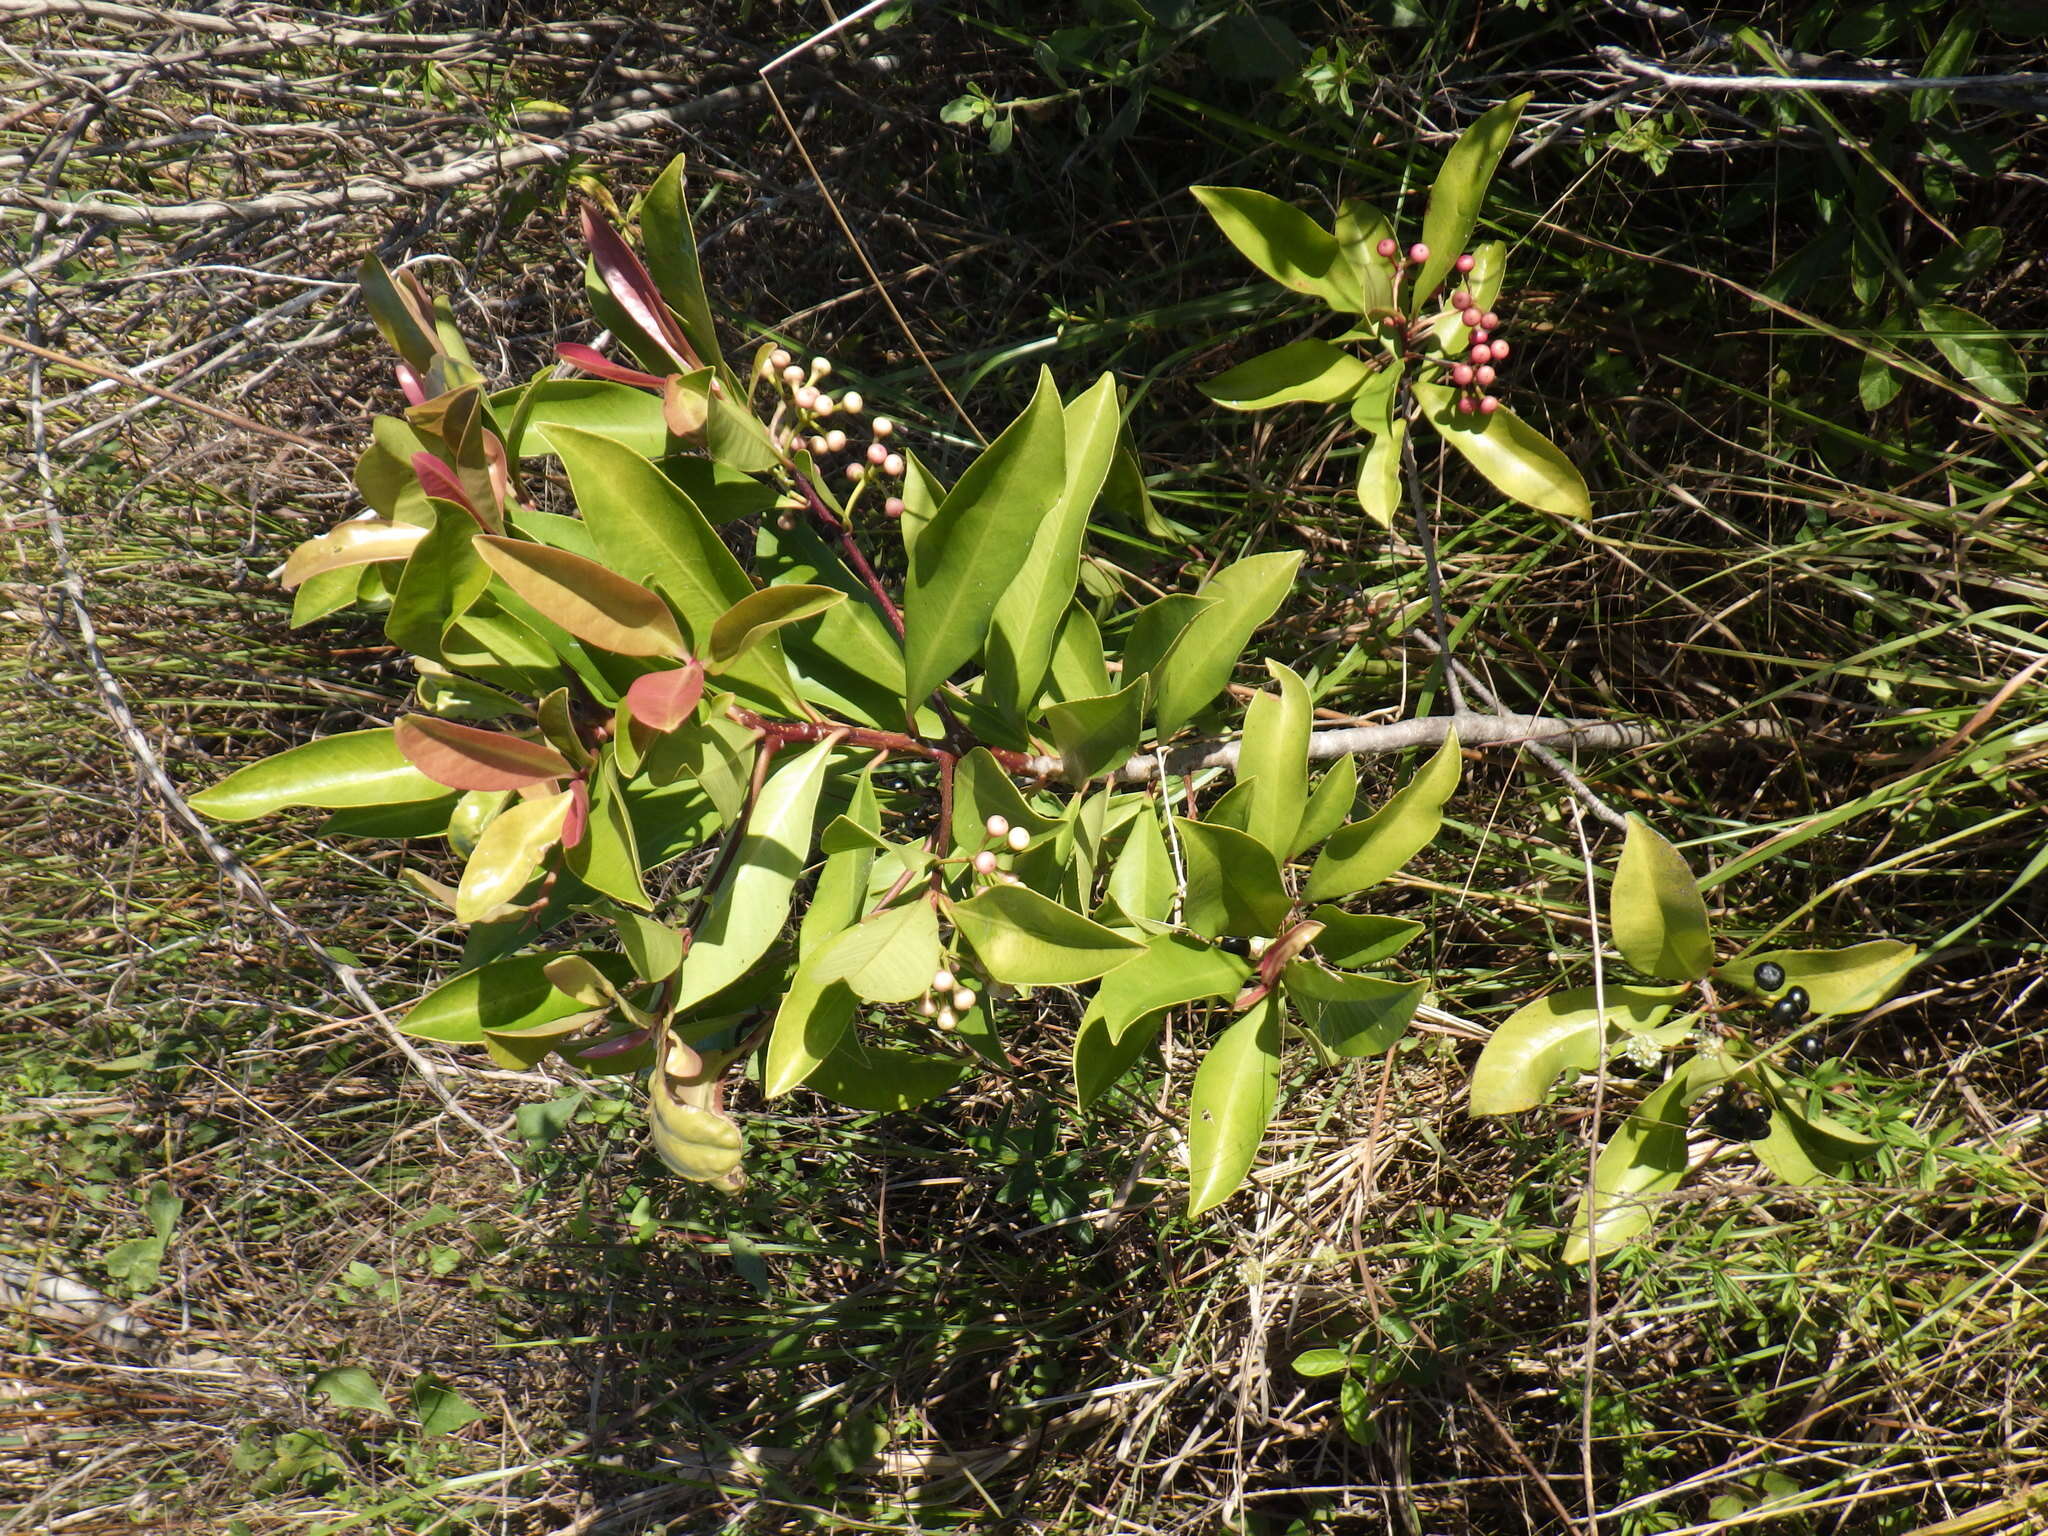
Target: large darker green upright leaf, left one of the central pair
968, 556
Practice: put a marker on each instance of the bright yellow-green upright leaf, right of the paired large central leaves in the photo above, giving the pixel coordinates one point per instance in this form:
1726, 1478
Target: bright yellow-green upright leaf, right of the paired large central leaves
1031, 609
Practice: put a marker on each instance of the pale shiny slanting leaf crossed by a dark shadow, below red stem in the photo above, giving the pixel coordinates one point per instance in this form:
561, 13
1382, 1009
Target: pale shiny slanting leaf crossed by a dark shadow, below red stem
751, 904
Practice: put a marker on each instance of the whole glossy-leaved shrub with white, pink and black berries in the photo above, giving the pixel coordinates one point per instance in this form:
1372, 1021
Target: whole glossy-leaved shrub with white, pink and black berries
851, 808
